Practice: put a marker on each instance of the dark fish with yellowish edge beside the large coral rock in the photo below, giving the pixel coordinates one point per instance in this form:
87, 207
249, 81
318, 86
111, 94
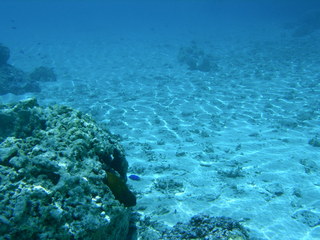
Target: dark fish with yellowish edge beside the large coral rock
120, 190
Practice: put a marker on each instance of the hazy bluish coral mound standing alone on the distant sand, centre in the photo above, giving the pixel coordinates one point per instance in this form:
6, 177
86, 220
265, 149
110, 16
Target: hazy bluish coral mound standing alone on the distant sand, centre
196, 59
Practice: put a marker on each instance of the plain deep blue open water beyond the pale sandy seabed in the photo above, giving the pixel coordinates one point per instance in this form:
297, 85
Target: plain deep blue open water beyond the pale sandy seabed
65, 19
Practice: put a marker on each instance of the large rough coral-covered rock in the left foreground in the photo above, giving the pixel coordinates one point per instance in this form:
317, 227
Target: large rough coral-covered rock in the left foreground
53, 164
